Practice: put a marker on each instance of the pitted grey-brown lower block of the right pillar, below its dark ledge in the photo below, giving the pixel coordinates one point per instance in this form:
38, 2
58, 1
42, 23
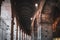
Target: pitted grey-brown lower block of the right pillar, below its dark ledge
46, 32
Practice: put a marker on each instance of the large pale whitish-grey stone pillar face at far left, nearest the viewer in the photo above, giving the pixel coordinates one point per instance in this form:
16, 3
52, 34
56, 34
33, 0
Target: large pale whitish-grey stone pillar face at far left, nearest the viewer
6, 17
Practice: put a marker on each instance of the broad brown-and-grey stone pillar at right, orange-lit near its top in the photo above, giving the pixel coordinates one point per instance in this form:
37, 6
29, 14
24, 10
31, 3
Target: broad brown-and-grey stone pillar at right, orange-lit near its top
46, 23
